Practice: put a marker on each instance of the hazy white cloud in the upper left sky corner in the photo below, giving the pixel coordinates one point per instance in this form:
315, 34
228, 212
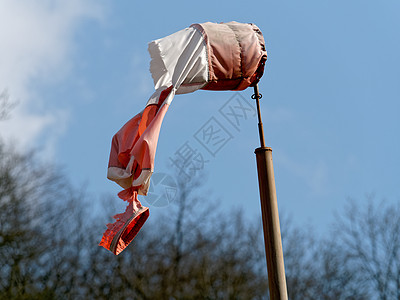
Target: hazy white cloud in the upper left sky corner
37, 45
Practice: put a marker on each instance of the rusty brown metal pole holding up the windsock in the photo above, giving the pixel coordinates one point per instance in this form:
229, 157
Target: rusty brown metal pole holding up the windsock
270, 215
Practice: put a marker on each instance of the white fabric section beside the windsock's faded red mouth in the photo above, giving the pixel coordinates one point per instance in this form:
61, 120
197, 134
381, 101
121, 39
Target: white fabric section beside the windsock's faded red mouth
180, 60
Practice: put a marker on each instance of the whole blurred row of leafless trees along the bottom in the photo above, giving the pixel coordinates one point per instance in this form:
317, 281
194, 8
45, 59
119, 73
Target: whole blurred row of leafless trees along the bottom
49, 233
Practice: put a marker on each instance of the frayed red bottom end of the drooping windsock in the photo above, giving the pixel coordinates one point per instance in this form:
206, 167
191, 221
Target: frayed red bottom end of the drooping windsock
127, 225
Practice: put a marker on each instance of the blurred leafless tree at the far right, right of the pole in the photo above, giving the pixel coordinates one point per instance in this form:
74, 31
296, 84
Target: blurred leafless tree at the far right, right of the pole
369, 242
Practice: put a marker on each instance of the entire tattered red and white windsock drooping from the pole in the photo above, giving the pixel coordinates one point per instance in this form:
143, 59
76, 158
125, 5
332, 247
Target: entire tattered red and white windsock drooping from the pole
209, 56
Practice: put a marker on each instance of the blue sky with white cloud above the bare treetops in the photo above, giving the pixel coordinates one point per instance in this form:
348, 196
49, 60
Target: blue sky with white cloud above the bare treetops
78, 70
